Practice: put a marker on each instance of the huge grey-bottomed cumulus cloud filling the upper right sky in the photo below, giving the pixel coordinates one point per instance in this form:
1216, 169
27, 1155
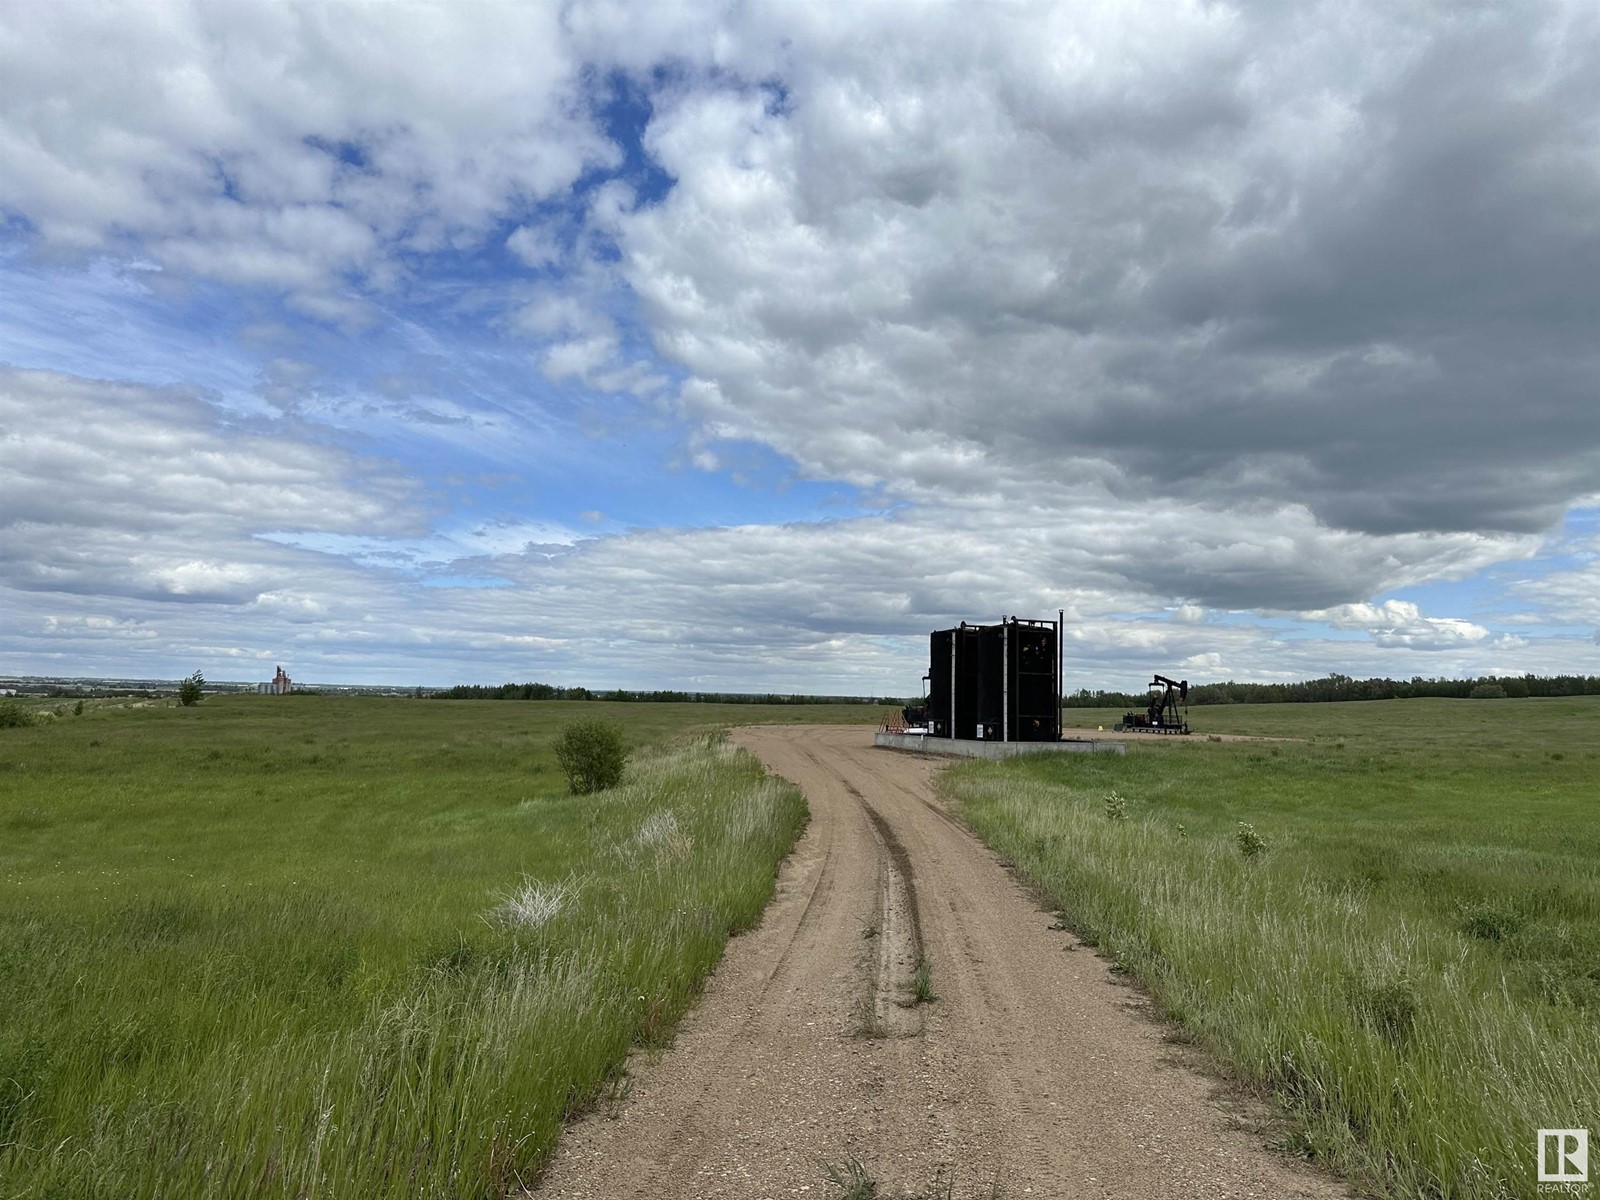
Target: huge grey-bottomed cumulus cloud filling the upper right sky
1225, 254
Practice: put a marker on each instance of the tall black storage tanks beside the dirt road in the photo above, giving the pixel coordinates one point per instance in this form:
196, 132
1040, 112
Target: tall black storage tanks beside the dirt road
996, 682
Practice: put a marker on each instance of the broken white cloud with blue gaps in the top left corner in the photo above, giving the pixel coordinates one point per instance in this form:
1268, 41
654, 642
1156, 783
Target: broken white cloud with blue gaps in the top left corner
302, 148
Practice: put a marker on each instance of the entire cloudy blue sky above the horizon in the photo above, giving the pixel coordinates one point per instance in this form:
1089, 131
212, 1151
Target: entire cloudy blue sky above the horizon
737, 346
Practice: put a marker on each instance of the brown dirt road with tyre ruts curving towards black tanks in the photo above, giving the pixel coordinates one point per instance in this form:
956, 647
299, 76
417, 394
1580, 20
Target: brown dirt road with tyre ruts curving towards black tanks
1034, 1073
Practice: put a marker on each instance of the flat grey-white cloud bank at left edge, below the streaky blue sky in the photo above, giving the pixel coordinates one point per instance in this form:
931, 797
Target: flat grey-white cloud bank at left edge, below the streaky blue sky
121, 490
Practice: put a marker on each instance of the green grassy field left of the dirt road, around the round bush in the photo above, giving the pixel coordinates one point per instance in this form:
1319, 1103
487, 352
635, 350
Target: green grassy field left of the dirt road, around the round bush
350, 948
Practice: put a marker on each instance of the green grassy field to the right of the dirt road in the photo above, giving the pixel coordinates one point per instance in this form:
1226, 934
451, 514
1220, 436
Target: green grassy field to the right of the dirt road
1393, 924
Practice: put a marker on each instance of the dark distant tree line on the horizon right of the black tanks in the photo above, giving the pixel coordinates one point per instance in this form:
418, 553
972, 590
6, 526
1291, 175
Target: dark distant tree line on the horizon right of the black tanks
1346, 689
